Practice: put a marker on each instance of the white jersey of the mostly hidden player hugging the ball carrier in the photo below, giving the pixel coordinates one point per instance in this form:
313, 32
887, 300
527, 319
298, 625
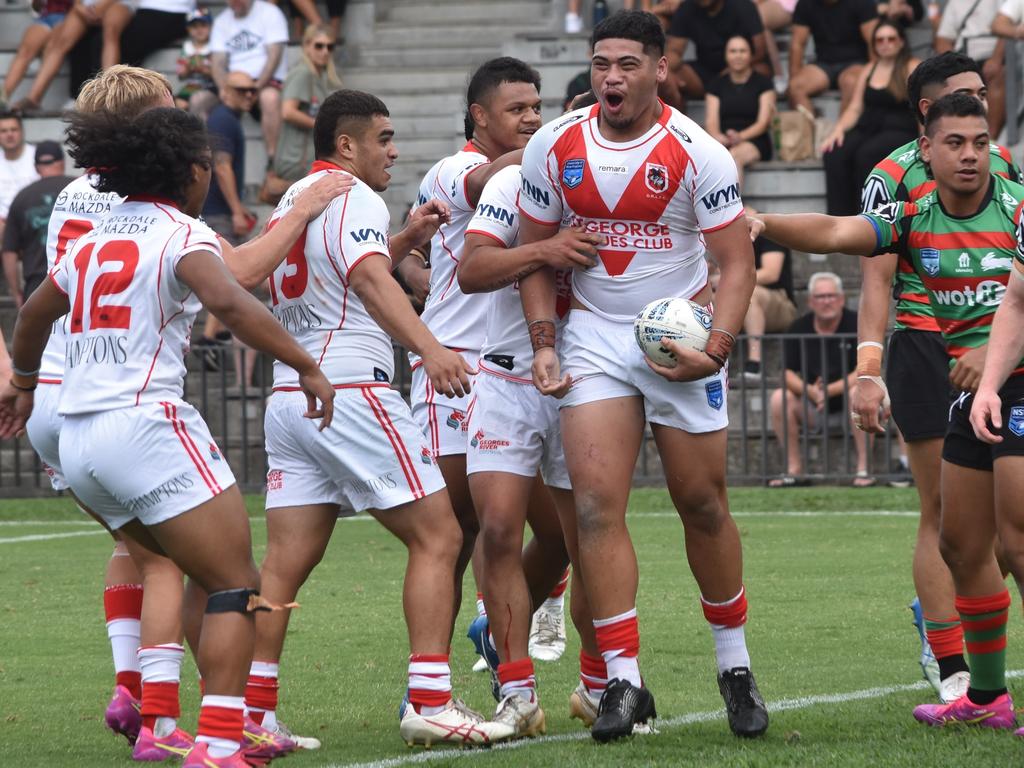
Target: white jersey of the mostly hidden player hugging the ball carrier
507, 351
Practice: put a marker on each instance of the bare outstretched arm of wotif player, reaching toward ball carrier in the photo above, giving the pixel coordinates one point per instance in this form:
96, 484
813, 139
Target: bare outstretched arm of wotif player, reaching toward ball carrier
817, 233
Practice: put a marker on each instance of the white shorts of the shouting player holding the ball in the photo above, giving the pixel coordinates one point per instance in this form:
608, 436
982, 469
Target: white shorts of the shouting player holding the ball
606, 362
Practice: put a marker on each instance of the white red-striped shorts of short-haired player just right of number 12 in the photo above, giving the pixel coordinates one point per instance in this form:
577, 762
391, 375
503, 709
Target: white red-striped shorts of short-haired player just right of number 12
373, 456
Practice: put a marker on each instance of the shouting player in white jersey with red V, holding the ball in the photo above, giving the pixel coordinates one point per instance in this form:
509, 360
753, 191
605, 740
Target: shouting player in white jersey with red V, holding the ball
662, 193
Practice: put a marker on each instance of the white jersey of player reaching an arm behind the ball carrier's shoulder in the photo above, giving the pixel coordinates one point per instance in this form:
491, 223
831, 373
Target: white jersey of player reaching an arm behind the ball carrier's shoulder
455, 319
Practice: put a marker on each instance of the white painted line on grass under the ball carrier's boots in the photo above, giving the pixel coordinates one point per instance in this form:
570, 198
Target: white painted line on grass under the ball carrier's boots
786, 705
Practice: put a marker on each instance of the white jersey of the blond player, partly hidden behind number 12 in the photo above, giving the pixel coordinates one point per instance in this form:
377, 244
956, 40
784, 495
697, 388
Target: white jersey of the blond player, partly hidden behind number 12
78, 208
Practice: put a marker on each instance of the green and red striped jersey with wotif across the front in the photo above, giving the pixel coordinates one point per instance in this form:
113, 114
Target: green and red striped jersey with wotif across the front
964, 264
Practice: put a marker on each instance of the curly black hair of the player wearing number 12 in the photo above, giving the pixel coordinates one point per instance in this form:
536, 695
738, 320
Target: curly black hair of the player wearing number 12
151, 155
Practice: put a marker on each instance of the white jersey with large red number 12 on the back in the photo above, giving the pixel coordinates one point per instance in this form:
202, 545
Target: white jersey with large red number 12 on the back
131, 317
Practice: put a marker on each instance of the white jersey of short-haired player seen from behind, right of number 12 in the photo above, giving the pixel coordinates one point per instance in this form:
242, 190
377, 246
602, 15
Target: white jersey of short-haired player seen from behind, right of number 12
311, 294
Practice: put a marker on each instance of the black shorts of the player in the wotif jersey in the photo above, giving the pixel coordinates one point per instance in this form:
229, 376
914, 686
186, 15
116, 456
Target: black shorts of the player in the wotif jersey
965, 450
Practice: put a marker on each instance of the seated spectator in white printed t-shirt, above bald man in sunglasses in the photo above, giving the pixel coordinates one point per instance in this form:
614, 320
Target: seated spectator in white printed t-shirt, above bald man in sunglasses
250, 36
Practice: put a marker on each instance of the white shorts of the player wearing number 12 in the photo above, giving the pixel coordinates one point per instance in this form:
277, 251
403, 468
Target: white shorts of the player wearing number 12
151, 463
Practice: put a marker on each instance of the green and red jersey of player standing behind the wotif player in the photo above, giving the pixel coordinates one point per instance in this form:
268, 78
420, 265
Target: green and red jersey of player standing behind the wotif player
904, 178
